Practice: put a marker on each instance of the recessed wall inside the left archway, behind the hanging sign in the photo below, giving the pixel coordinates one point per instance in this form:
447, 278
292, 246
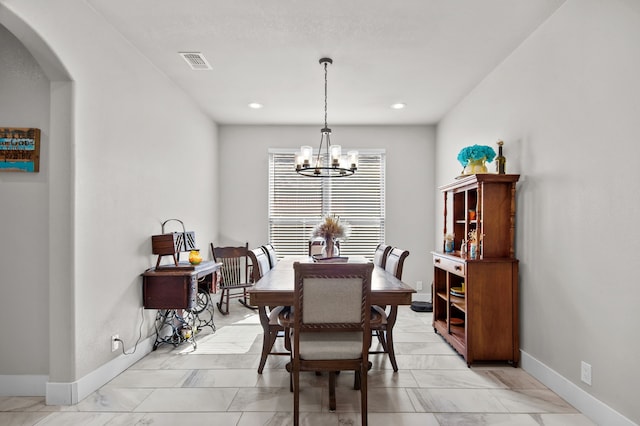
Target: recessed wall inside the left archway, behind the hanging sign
24, 217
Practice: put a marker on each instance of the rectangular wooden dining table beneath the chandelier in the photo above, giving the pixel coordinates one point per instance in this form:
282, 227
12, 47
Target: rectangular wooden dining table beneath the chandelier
276, 288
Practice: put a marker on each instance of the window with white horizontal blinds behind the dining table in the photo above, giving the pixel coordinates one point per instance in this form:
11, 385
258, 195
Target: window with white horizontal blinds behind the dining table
297, 203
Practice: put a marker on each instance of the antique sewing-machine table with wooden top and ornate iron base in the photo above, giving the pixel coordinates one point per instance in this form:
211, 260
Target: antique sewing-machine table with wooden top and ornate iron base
181, 295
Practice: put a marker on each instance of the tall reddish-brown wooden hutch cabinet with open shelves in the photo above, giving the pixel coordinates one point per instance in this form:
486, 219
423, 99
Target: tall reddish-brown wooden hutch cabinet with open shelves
475, 300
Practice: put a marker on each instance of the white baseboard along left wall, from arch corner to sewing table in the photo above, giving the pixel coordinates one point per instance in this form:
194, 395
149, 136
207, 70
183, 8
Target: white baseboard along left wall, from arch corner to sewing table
71, 393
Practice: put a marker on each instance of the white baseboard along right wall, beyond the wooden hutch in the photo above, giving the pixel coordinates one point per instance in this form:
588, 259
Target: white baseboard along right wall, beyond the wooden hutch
596, 410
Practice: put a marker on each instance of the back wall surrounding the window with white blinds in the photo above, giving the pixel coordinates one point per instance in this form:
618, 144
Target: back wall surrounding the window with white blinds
409, 177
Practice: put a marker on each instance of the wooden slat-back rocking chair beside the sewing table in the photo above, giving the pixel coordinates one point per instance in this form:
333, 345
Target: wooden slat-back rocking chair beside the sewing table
234, 275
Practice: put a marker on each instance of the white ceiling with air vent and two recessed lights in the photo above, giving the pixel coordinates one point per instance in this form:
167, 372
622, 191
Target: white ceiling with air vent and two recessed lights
427, 54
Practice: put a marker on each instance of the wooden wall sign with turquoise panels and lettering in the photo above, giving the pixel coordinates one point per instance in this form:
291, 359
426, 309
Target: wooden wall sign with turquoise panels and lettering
19, 149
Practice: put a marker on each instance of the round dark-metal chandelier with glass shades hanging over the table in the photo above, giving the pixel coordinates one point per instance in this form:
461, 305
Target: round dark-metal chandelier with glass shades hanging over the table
331, 163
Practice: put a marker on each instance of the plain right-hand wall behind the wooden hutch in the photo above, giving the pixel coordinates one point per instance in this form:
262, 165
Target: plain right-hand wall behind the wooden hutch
566, 104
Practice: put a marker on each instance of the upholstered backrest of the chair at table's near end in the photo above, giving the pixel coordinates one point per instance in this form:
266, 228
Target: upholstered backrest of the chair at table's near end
333, 297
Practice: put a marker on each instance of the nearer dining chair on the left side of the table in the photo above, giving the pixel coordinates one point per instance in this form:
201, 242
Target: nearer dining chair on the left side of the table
268, 315
